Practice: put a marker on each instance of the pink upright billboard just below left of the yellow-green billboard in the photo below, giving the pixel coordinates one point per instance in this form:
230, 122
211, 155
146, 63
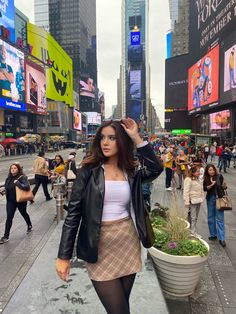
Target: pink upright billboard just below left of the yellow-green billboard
35, 93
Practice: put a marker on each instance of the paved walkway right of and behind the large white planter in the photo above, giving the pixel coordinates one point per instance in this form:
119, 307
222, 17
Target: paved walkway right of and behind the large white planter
216, 291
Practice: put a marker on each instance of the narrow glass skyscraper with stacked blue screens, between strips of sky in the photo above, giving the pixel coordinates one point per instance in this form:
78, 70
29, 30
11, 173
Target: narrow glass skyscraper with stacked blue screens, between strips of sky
135, 85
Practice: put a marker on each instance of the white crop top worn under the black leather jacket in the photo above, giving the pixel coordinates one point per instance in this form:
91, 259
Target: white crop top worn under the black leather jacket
117, 197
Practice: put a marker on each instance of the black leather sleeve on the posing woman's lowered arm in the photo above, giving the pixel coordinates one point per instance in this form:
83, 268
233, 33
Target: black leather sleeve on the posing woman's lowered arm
72, 221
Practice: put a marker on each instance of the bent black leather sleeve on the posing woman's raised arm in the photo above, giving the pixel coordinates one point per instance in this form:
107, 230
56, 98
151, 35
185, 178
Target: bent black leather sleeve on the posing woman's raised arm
152, 166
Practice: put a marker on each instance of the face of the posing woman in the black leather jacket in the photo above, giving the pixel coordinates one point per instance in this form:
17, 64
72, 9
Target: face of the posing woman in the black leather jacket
108, 142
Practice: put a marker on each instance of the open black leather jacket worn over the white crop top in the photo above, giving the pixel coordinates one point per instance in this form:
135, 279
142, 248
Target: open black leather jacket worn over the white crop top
86, 205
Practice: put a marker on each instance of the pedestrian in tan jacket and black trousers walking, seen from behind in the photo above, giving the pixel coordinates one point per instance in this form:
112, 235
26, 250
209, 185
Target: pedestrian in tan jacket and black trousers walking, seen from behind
40, 168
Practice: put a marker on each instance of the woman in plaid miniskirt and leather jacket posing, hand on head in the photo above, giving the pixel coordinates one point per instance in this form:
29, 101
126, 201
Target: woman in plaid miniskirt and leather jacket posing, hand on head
106, 194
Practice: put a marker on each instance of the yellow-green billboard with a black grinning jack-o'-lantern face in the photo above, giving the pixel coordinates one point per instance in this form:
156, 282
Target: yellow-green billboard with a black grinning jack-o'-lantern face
60, 72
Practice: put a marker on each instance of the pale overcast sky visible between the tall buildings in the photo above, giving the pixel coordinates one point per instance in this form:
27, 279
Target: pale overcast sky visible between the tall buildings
109, 47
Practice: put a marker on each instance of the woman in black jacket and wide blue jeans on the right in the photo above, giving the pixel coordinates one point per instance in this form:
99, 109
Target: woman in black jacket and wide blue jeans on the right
214, 185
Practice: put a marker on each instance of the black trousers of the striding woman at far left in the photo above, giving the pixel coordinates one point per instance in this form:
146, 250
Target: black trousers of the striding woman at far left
11, 209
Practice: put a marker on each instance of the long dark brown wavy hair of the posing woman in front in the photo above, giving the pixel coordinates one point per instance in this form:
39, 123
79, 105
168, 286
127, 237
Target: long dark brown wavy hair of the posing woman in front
125, 148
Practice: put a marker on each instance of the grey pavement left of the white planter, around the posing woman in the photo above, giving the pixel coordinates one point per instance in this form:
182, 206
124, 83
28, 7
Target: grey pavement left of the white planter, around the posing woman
41, 291
